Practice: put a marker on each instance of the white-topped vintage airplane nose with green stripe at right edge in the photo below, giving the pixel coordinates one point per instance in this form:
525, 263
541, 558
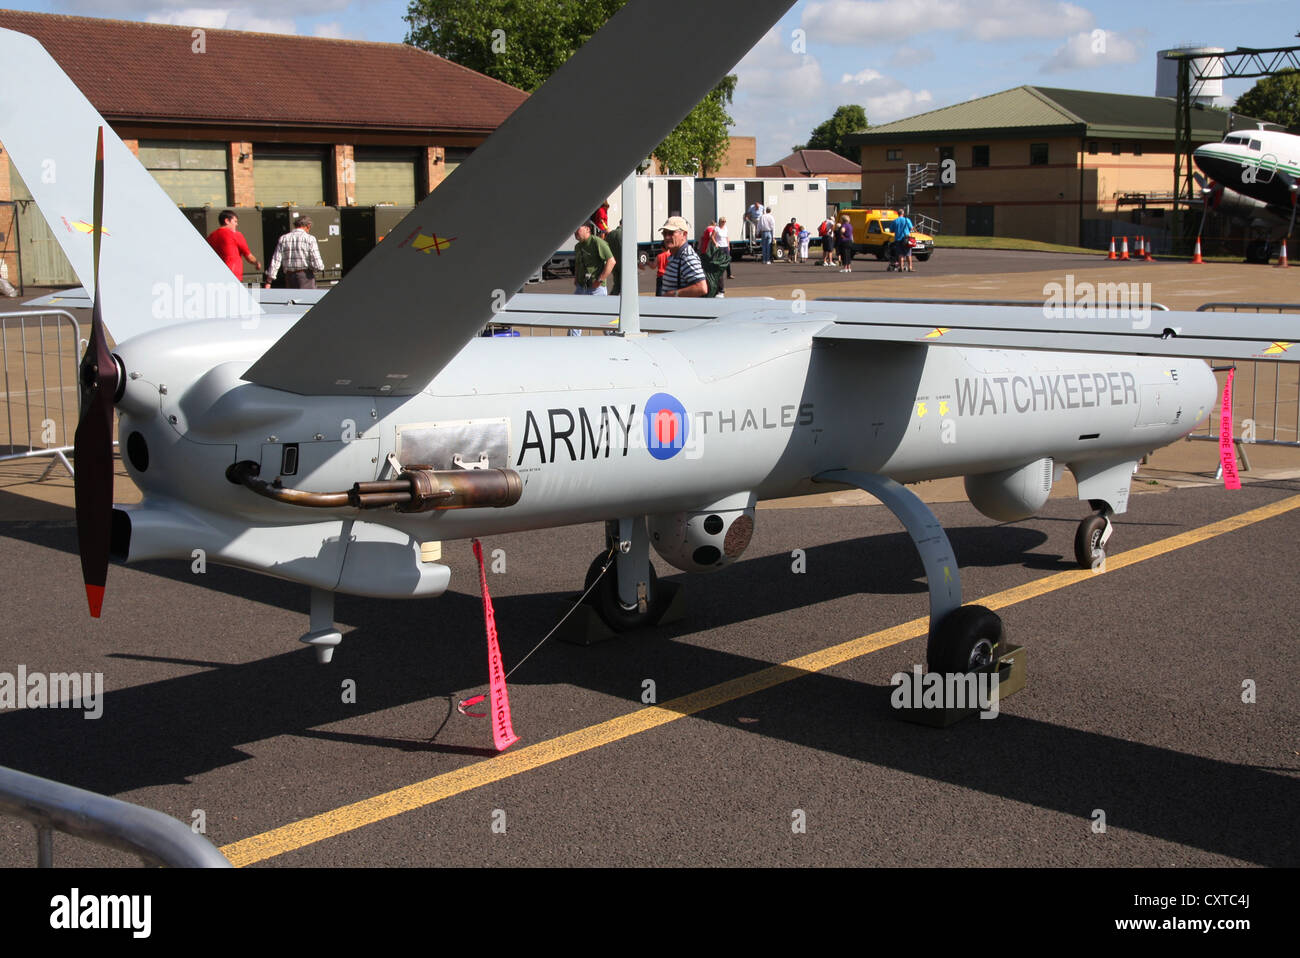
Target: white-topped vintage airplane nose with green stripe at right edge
1254, 176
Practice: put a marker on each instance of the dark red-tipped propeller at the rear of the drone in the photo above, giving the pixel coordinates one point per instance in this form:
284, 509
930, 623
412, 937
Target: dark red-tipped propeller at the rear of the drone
94, 441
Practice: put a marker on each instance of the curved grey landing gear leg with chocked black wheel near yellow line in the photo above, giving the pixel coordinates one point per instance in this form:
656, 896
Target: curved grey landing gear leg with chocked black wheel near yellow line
963, 639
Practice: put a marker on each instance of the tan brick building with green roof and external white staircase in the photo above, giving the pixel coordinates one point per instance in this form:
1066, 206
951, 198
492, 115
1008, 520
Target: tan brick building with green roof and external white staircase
1037, 163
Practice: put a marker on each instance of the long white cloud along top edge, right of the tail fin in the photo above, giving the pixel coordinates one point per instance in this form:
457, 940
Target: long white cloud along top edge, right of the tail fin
874, 23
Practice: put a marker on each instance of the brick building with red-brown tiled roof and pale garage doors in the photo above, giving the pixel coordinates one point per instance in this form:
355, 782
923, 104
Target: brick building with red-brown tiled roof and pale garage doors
229, 119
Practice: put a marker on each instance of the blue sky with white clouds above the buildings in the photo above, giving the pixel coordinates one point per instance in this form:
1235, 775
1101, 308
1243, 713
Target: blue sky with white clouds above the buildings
896, 58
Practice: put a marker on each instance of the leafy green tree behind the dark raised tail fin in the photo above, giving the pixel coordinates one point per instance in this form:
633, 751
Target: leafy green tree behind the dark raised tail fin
525, 42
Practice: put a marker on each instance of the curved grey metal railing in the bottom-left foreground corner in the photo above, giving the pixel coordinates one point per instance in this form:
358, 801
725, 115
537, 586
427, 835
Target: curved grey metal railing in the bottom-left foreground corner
53, 807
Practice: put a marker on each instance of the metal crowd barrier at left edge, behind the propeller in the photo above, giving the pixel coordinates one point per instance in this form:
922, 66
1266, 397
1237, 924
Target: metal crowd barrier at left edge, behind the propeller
41, 350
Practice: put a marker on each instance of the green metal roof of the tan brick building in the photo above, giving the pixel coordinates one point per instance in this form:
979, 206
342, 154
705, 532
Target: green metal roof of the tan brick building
1052, 111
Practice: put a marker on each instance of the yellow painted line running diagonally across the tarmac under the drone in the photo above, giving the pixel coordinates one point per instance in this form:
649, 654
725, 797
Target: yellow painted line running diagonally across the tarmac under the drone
349, 818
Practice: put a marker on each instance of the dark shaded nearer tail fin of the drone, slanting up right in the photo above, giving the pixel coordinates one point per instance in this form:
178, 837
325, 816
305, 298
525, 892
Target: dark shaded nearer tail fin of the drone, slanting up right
415, 301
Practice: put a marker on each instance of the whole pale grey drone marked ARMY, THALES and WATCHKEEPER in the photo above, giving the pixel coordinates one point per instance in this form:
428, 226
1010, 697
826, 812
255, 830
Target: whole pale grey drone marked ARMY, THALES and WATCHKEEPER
324, 443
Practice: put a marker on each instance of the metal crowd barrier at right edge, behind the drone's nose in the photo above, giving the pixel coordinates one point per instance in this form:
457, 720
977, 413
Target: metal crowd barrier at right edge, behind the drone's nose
1275, 405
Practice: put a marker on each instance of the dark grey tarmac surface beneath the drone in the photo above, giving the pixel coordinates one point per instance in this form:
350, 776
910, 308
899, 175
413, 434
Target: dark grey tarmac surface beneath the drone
1162, 699
